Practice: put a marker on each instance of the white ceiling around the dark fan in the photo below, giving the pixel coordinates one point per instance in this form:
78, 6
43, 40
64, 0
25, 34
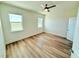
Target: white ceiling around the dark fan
36, 5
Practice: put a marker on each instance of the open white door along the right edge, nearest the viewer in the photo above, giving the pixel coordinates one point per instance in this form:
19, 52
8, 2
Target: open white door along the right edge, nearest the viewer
75, 46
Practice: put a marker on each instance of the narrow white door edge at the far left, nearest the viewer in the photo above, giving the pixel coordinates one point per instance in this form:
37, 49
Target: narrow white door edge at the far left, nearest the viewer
2, 44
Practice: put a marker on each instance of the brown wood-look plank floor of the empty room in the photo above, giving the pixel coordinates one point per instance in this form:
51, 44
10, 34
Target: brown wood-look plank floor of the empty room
40, 46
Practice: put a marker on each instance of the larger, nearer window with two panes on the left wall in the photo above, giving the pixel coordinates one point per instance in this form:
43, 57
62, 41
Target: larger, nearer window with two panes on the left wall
15, 22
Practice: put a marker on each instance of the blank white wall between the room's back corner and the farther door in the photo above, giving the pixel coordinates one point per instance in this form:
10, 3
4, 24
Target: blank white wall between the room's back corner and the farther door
56, 23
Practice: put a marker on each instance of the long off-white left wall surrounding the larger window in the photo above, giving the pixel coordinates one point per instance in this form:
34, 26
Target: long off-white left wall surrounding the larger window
29, 23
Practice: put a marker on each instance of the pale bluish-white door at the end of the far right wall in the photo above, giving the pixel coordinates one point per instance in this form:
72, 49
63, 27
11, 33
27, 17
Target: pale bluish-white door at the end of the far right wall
71, 27
